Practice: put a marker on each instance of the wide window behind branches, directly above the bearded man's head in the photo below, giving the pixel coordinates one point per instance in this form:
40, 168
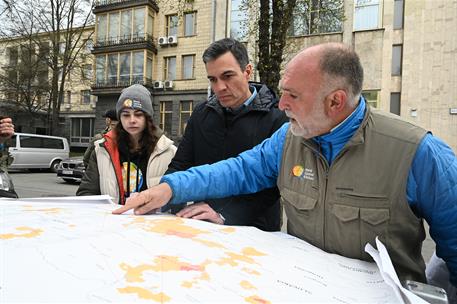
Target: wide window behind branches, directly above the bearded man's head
319, 16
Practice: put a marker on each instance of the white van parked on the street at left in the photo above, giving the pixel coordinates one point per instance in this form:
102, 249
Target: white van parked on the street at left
33, 151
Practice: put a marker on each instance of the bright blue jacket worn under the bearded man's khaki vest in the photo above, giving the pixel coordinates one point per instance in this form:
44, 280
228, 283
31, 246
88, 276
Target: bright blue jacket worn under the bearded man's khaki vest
431, 189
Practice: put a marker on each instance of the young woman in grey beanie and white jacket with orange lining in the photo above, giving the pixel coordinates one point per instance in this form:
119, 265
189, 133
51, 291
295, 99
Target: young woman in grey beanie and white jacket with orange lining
133, 156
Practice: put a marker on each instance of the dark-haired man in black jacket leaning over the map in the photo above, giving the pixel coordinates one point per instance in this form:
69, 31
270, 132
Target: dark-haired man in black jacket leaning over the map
239, 115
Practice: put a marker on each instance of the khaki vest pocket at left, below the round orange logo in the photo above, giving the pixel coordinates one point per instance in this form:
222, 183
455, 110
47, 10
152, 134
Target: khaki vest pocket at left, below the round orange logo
304, 219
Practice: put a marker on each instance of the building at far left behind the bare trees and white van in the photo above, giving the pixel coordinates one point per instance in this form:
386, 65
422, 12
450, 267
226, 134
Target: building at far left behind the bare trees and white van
25, 86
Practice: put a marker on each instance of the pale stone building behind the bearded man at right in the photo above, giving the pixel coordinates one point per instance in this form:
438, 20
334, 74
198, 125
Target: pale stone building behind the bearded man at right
409, 52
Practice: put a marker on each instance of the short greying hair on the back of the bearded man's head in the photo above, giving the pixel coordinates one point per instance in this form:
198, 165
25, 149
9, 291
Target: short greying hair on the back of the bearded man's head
343, 62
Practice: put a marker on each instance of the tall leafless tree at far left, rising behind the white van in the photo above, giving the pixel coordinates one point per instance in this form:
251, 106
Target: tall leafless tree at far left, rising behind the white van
61, 23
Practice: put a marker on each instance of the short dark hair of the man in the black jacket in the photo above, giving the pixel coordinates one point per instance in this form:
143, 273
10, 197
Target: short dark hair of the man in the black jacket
222, 46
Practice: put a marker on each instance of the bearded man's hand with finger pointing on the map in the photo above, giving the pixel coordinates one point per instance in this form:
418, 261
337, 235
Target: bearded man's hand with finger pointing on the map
147, 201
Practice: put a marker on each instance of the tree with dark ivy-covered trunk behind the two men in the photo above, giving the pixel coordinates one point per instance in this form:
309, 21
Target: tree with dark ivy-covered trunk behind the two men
278, 19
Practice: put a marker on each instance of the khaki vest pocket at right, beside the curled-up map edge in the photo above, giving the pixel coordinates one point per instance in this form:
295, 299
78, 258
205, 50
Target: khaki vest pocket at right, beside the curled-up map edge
350, 228
